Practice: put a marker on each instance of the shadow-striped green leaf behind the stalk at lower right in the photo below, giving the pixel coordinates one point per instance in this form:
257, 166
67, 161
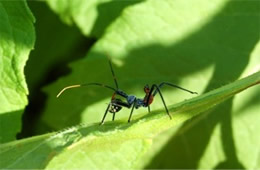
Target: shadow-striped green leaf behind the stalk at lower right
224, 137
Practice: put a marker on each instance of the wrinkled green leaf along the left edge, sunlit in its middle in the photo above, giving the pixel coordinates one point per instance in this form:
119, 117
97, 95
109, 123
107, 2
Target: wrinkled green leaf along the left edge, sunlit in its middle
17, 40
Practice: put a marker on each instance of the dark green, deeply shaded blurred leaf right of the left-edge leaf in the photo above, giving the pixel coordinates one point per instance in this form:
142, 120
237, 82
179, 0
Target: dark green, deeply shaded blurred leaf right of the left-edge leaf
50, 51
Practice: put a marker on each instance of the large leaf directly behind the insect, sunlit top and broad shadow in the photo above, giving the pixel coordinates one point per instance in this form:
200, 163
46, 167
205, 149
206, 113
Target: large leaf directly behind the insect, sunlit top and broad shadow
158, 54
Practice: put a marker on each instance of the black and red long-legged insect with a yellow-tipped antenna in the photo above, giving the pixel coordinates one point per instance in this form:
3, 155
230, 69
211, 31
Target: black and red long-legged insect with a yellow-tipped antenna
131, 101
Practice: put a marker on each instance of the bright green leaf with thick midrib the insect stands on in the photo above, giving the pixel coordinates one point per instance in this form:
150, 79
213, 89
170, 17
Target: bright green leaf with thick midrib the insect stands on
93, 146
